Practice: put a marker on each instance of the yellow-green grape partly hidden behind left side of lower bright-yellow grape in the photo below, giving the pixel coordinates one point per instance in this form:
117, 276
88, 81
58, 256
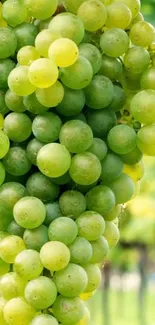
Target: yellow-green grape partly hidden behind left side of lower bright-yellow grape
19, 83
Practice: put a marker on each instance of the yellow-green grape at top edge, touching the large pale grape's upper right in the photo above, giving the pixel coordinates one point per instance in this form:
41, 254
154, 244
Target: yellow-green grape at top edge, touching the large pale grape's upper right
93, 15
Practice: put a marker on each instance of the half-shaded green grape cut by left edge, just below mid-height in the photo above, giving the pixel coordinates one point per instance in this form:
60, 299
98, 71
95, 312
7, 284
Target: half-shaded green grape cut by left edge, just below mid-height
11, 192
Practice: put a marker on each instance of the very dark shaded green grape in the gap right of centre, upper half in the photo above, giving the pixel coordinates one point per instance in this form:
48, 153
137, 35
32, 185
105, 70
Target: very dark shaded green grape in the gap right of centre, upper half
101, 121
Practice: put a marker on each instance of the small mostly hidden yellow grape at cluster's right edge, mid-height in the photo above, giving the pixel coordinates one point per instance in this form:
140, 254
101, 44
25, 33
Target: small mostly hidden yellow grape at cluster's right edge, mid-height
136, 172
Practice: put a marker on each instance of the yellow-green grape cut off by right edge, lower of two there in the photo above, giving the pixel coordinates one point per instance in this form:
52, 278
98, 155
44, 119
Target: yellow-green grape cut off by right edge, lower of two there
146, 140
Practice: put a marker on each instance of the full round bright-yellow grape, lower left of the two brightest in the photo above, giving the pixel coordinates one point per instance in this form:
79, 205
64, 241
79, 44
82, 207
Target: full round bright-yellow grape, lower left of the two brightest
43, 73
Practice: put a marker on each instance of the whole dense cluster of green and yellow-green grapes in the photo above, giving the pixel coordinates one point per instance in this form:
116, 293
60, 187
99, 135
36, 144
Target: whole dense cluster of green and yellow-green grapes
77, 104
